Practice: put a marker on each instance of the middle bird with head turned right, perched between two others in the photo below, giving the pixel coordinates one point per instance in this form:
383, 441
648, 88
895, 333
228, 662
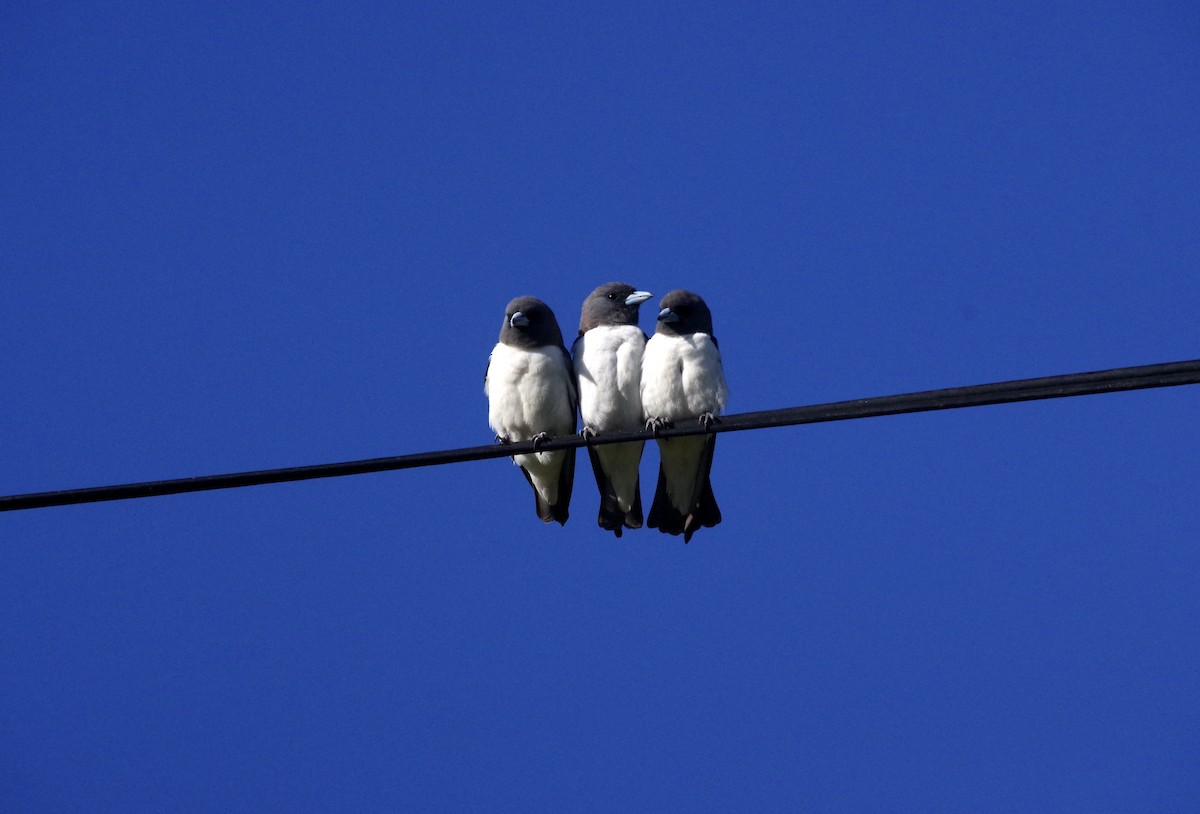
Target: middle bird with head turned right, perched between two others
609, 370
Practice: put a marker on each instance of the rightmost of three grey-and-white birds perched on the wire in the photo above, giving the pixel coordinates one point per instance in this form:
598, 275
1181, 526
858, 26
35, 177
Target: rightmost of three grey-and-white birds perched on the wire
683, 379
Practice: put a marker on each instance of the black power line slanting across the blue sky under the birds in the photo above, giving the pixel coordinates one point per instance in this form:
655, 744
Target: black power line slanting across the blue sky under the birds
1030, 390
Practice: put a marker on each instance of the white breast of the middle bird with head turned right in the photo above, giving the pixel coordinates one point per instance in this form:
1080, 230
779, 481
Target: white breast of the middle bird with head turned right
609, 370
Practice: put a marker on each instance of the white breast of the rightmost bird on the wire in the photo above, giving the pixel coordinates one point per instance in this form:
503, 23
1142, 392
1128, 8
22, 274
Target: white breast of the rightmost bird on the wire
682, 378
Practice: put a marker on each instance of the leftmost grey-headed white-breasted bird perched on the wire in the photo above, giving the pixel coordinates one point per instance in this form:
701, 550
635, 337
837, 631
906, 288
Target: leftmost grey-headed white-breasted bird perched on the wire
532, 397
